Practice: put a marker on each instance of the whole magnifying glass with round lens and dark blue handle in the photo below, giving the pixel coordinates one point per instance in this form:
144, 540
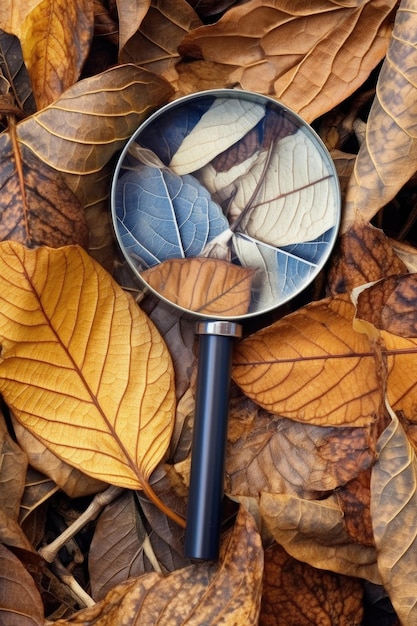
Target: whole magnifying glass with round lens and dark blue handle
225, 205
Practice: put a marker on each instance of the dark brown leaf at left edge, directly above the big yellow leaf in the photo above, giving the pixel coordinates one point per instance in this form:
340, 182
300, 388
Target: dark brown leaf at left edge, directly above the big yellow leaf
40, 209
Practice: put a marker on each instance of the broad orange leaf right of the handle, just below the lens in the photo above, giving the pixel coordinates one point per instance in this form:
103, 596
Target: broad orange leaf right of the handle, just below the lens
312, 366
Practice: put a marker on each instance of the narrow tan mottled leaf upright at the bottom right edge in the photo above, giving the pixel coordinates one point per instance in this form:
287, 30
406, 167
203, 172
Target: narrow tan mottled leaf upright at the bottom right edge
393, 512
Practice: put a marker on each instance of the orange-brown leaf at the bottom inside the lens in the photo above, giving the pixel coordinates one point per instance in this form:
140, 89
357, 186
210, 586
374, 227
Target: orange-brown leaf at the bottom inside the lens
203, 285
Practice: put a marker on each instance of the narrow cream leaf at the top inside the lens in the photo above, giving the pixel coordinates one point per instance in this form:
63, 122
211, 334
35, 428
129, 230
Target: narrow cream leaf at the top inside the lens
225, 122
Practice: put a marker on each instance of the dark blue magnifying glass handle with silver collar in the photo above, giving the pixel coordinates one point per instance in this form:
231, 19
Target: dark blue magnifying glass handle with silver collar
204, 512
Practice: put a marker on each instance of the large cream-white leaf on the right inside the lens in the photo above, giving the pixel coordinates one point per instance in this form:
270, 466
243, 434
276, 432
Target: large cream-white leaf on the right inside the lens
290, 194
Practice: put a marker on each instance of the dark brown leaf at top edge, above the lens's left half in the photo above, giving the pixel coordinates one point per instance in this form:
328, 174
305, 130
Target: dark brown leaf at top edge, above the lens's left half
155, 44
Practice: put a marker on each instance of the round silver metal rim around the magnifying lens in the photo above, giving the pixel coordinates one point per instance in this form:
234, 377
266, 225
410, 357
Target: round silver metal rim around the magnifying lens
259, 99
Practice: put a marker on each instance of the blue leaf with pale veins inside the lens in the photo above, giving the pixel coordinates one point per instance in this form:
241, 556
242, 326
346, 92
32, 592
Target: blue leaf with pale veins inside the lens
161, 215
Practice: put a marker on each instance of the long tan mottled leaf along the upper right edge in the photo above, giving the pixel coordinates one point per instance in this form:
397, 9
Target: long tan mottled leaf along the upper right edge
388, 156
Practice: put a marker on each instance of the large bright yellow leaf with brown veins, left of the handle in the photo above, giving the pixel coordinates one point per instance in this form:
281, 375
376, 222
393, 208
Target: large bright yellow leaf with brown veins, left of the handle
81, 366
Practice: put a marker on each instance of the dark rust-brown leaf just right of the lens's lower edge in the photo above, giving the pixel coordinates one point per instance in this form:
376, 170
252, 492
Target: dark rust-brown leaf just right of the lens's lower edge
365, 255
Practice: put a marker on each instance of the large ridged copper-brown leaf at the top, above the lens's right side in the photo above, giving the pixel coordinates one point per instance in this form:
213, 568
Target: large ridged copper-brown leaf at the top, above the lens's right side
310, 56
